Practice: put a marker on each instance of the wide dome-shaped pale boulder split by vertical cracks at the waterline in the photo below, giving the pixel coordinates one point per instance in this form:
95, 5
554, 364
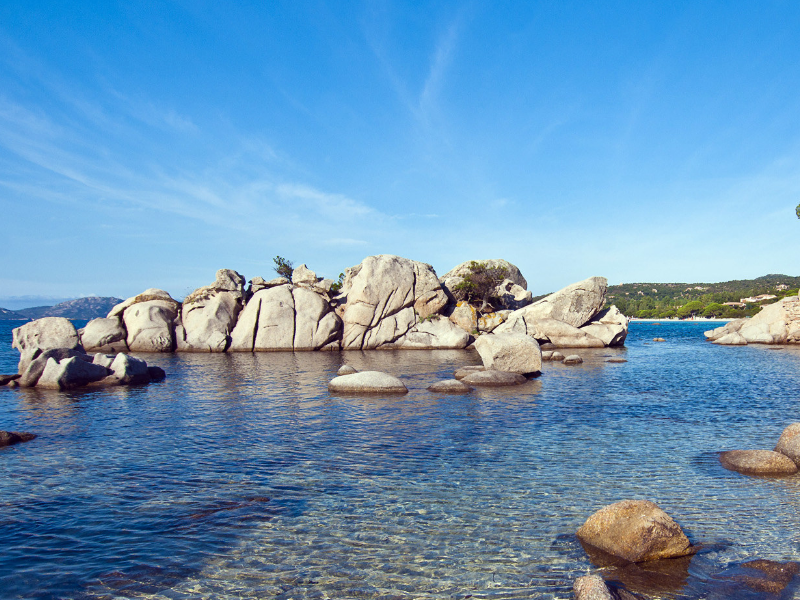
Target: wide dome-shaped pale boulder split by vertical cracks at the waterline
286, 317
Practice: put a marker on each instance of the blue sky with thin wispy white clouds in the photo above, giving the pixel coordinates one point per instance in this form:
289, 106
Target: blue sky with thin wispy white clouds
148, 144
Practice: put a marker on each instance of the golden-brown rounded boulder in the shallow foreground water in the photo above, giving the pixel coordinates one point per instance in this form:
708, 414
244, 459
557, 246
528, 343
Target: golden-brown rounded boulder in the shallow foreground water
636, 531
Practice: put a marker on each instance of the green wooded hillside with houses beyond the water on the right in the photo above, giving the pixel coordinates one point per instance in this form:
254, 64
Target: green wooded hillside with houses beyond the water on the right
667, 300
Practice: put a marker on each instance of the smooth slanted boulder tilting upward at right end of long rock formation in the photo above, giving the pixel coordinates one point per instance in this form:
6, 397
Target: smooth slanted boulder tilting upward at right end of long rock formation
575, 305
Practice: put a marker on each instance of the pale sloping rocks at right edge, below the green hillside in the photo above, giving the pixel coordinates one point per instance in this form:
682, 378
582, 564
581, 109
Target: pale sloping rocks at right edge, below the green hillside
777, 323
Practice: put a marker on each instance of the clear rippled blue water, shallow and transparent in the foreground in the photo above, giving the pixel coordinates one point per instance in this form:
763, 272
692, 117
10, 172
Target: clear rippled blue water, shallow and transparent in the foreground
240, 476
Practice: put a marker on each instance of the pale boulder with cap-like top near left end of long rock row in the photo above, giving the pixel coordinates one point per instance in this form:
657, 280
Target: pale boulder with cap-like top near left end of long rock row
149, 320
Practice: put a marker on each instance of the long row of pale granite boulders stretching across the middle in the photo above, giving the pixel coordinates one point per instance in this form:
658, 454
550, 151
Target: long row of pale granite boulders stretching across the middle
385, 302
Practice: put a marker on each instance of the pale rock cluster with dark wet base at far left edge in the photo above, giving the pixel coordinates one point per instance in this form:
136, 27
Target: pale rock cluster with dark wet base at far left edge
52, 357
